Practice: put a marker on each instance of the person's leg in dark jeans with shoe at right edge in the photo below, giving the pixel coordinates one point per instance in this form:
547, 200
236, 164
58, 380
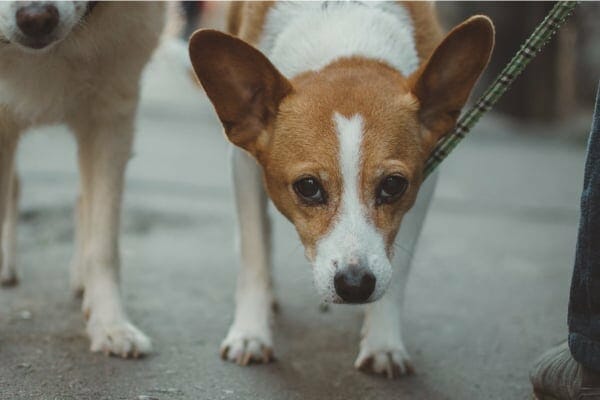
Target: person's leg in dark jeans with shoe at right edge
571, 371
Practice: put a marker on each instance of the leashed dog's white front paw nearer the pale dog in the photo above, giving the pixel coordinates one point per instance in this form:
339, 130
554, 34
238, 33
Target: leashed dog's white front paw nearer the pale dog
244, 349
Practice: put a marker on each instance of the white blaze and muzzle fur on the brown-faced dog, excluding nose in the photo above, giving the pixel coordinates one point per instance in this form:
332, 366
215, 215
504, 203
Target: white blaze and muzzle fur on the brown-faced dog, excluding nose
352, 236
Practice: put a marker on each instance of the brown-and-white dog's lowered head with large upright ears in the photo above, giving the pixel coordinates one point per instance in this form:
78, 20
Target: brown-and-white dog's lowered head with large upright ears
342, 148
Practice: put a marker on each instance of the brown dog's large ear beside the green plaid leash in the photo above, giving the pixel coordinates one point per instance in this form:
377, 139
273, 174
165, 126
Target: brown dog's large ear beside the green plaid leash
443, 84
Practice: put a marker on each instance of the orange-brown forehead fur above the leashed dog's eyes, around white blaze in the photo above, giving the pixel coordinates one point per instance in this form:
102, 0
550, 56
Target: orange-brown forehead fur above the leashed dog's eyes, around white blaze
306, 128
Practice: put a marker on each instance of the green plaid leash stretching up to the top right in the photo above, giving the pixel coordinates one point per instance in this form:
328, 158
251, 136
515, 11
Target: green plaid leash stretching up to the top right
532, 46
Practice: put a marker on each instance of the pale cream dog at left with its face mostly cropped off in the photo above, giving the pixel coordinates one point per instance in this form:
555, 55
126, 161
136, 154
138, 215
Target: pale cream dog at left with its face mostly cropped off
78, 63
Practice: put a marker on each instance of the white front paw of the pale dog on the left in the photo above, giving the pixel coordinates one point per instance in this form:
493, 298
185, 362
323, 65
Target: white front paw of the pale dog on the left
121, 339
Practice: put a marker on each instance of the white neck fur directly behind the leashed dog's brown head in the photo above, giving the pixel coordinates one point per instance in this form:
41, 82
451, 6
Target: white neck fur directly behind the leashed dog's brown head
305, 36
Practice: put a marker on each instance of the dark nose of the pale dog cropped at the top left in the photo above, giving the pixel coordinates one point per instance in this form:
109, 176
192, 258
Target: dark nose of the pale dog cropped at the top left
37, 20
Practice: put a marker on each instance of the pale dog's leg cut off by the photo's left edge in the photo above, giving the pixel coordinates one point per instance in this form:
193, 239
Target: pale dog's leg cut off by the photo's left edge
9, 136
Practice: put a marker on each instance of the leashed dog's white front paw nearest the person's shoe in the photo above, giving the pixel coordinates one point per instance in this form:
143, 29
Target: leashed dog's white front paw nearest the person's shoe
393, 363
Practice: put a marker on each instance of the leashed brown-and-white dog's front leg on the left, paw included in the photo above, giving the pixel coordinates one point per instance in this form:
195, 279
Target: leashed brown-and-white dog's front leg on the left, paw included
249, 337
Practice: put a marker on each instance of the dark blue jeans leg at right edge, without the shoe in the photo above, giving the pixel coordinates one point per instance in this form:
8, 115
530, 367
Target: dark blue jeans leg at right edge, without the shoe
584, 302
